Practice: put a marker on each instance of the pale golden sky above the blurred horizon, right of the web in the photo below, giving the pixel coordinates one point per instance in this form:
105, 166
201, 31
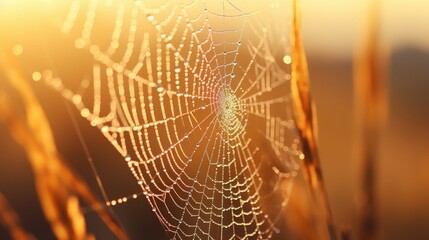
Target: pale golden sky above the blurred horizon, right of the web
334, 26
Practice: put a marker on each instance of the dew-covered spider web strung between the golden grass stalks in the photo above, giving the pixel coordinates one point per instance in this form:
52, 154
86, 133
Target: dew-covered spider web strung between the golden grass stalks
195, 96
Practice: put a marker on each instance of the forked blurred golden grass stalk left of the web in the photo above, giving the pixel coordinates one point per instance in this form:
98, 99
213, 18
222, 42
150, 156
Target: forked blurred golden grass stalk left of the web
55, 181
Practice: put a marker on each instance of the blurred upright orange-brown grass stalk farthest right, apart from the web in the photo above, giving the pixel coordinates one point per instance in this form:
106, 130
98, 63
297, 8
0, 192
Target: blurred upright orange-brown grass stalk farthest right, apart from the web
371, 106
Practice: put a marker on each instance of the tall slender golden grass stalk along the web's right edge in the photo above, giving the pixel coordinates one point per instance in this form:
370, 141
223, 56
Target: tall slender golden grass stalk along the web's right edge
305, 120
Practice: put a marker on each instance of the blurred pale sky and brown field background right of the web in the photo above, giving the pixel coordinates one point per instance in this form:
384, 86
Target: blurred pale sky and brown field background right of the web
332, 32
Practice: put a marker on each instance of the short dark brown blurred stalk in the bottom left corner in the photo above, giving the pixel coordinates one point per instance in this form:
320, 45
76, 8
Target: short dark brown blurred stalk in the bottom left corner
10, 220
